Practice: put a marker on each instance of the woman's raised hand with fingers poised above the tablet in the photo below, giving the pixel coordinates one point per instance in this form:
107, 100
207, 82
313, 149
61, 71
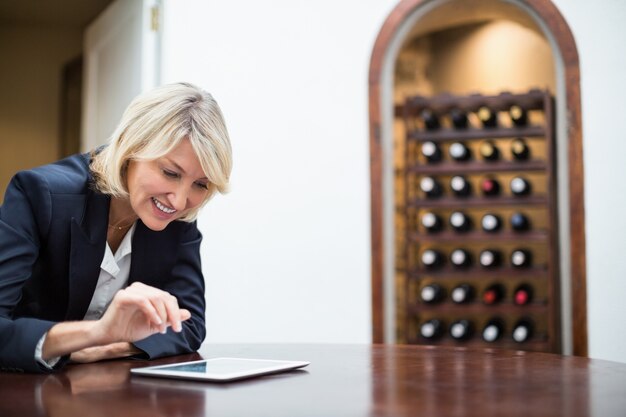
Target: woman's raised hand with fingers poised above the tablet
139, 311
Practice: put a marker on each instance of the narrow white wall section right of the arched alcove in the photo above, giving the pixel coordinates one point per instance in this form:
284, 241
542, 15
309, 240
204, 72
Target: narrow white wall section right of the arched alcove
600, 36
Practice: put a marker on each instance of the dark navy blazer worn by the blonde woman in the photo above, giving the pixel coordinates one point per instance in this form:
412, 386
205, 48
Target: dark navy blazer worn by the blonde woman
53, 229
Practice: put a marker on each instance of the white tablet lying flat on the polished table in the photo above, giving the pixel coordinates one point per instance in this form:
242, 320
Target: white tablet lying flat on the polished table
219, 369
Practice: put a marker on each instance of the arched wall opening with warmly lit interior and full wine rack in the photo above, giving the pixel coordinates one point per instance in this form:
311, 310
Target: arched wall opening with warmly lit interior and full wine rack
474, 157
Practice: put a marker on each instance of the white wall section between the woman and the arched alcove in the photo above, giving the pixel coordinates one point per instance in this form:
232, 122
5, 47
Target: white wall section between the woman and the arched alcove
287, 253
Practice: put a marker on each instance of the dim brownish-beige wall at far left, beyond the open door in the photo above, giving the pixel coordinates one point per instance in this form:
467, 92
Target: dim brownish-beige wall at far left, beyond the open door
30, 82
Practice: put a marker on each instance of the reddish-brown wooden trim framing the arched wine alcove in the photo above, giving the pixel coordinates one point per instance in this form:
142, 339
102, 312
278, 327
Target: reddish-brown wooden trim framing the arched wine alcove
558, 27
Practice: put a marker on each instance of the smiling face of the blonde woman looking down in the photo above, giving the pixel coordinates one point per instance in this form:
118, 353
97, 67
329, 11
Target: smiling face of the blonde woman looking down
166, 189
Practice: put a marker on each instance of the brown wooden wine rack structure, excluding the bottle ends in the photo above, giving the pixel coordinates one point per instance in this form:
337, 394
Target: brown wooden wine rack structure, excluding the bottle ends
543, 310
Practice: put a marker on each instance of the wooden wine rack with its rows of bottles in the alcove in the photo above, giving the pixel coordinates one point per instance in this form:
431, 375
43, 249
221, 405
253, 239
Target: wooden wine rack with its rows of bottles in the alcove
491, 159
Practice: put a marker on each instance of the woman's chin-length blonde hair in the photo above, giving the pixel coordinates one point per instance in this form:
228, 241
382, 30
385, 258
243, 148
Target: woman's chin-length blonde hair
155, 123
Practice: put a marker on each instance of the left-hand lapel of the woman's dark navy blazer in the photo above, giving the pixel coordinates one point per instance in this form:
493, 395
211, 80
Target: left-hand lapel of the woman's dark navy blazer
88, 239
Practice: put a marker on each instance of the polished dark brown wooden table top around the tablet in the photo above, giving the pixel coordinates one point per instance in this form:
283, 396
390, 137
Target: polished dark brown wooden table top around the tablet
342, 380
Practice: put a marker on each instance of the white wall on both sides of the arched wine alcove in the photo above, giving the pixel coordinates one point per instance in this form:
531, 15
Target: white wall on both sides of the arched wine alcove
287, 253
